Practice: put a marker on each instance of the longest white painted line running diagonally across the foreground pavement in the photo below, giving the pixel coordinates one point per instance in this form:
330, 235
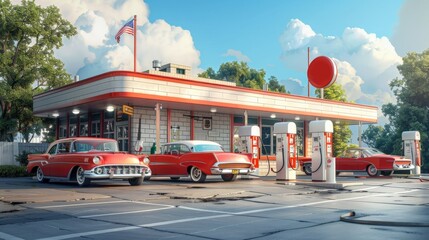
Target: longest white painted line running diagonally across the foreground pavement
157, 224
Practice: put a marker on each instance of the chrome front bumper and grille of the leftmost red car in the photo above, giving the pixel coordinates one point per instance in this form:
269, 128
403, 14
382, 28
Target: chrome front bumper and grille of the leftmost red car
116, 172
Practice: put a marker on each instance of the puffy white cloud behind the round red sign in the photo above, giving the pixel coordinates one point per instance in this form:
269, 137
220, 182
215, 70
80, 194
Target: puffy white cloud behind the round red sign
366, 63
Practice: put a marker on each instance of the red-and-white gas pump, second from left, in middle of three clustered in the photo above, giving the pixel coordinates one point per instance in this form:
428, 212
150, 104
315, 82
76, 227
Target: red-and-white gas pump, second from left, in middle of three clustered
286, 152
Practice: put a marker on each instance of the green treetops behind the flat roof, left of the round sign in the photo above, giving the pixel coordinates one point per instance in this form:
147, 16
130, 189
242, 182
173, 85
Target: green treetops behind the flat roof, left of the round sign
244, 76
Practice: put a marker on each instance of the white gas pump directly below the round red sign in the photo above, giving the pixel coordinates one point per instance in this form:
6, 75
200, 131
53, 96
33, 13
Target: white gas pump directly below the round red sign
322, 163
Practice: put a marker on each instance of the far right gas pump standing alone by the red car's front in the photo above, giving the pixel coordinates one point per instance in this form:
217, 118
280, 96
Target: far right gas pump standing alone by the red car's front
411, 141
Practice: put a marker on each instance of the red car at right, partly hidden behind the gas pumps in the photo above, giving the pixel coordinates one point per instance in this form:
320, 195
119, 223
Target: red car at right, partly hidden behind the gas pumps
369, 160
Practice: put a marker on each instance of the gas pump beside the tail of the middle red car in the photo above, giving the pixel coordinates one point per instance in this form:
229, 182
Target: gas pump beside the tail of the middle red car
249, 140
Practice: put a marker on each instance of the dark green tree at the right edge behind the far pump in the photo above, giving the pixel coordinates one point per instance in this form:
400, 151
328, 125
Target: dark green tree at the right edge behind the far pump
411, 111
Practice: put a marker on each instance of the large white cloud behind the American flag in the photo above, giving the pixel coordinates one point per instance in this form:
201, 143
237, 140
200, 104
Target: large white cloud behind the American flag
94, 50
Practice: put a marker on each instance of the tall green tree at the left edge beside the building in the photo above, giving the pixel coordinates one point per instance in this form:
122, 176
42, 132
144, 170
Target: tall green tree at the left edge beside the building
28, 36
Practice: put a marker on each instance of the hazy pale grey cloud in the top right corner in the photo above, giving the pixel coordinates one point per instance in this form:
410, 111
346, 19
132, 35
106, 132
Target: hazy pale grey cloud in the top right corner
411, 34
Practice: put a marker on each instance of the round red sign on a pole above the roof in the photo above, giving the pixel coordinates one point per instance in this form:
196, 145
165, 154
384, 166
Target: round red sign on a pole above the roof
322, 72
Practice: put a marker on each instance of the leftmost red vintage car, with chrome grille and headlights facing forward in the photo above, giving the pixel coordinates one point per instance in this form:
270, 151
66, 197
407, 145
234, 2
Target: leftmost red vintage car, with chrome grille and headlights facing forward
83, 159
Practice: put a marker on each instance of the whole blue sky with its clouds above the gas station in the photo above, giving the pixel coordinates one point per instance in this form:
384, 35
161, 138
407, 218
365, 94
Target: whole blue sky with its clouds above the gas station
366, 38
